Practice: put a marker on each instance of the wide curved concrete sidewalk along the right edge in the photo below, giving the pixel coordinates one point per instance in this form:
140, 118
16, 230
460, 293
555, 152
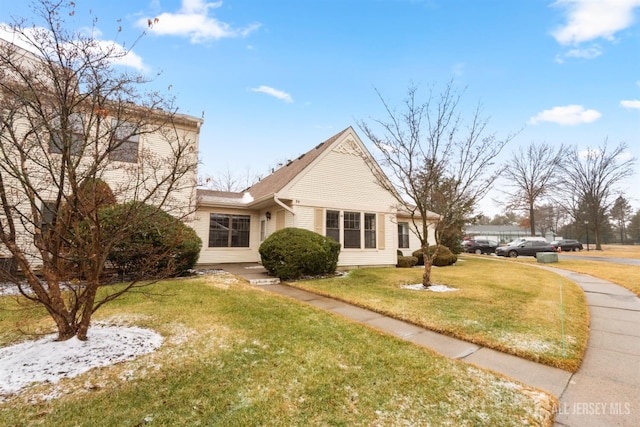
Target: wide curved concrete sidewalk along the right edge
606, 389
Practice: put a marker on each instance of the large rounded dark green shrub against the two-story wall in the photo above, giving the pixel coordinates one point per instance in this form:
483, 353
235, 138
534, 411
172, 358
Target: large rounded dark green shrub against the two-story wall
158, 245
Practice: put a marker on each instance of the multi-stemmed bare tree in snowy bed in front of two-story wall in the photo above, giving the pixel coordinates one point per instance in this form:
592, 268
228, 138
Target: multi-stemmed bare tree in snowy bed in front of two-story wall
70, 119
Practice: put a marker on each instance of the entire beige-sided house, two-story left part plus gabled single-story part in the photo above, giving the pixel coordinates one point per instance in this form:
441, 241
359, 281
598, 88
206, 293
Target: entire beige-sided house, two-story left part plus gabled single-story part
332, 189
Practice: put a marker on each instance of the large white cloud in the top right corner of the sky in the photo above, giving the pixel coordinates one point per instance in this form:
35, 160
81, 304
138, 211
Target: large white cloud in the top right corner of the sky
592, 19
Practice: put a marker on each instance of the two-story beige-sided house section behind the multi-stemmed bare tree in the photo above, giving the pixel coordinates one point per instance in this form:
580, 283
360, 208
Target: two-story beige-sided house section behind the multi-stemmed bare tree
55, 140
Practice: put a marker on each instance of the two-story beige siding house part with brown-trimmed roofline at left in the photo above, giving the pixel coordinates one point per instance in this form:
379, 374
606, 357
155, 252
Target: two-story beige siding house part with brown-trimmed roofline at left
147, 140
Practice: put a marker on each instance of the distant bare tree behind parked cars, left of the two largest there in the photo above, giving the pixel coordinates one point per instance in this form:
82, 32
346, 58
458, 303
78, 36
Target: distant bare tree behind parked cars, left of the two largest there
532, 174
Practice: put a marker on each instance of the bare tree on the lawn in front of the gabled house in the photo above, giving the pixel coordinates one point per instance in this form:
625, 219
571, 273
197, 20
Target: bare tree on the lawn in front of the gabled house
434, 160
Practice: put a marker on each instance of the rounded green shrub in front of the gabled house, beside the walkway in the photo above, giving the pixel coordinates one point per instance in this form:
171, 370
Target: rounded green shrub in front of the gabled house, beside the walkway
291, 253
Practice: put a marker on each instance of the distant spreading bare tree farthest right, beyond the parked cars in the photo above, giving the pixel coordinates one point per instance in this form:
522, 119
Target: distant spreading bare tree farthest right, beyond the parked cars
591, 182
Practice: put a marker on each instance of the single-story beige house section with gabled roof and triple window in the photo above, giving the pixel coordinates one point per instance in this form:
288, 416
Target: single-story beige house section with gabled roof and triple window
331, 190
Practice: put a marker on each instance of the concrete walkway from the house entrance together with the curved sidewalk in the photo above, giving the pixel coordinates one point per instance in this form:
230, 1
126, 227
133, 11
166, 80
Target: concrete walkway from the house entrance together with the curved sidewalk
604, 392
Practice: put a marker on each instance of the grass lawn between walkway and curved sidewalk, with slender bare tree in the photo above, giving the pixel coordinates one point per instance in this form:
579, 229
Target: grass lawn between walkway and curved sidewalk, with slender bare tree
507, 306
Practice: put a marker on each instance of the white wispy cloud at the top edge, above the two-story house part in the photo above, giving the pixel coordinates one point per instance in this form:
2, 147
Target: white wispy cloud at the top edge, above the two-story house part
193, 21
